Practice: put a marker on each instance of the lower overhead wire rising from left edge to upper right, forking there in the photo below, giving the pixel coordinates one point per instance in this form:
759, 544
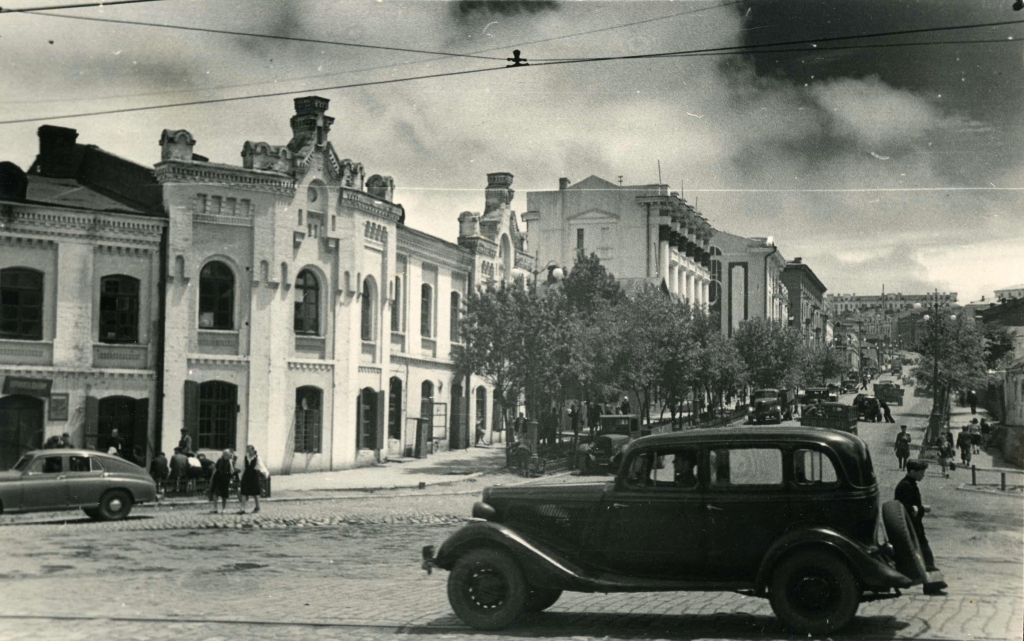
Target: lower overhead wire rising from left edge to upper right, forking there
736, 51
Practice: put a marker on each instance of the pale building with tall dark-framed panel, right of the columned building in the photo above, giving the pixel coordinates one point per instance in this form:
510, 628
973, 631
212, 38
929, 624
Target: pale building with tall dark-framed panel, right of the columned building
747, 281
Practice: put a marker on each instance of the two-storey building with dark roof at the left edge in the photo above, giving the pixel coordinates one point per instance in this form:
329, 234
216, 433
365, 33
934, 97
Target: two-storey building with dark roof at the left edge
80, 335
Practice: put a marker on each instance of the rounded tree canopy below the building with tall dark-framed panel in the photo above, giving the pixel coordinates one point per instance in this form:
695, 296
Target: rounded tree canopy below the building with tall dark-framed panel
771, 352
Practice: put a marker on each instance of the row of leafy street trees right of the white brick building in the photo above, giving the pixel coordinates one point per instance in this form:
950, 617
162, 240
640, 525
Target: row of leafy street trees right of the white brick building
587, 339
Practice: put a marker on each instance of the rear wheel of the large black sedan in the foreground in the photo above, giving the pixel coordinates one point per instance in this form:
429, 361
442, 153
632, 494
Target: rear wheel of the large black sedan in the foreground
815, 593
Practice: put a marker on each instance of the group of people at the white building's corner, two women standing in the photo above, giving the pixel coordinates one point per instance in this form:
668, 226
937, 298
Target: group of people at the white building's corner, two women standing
188, 467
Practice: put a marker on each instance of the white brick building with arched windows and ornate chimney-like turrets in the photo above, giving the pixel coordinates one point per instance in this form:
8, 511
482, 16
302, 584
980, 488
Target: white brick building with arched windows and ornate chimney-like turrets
305, 318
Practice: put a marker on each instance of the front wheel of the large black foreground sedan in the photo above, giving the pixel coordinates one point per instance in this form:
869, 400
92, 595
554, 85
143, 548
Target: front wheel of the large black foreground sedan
487, 590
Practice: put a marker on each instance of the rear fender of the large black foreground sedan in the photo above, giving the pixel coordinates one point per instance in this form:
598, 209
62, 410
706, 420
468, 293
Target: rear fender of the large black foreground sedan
870, 571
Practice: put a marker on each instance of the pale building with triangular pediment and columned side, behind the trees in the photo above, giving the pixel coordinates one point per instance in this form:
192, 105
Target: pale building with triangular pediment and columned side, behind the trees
642, 234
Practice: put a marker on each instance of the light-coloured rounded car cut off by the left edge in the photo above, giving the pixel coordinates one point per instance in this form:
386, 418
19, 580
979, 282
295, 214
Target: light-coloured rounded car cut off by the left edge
104, 487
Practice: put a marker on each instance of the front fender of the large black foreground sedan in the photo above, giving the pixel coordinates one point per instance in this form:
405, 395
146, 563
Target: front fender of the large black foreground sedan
542, 567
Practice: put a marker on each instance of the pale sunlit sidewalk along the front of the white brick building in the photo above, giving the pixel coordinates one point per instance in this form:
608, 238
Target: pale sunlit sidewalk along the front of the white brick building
443, 468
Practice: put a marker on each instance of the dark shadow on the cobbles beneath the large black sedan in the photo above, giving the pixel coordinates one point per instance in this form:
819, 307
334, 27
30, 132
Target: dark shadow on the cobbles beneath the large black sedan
682, 627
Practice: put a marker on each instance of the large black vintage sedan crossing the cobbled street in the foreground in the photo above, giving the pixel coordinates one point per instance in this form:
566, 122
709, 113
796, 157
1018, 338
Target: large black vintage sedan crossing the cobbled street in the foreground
789, 515
